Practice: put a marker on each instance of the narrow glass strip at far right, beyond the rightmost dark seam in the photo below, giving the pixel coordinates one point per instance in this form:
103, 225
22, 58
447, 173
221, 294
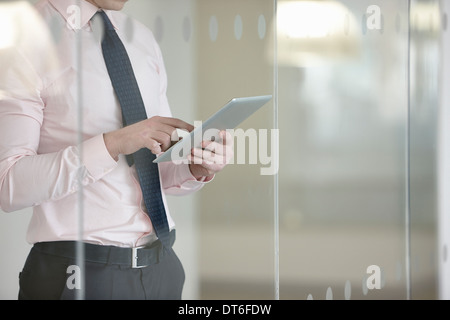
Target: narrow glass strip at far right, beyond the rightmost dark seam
427, 23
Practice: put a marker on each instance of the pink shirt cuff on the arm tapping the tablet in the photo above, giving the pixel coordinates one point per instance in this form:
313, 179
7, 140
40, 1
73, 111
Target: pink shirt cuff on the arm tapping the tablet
96, 157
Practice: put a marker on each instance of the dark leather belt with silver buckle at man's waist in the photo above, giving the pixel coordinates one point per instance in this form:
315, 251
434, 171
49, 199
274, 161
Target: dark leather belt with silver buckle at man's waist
137, 257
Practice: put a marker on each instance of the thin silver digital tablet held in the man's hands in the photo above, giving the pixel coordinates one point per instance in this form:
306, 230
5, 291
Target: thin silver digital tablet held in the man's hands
228, 117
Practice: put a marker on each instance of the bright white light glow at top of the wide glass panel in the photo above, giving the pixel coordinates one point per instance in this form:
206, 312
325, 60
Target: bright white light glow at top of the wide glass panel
314, 32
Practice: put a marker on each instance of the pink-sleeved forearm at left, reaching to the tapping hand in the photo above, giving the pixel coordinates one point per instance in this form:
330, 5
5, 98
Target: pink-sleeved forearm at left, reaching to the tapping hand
28, 180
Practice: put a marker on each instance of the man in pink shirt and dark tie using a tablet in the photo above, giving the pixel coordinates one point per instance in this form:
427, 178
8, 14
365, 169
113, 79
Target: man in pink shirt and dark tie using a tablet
43, 162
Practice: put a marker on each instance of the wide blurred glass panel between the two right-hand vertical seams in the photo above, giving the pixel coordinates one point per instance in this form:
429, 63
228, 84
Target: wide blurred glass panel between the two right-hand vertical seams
343, 114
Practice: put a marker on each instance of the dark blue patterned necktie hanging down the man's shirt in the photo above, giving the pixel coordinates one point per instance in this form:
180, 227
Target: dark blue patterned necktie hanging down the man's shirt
127, 91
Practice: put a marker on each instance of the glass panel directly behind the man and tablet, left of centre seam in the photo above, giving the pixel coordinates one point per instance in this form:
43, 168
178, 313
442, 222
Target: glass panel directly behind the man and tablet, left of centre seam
214, 51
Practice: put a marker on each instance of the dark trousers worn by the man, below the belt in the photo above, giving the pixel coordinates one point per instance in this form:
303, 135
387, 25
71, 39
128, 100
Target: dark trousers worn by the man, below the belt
48, 277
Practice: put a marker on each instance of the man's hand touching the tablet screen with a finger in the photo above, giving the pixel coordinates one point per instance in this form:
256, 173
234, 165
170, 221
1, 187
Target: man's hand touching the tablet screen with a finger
154, 133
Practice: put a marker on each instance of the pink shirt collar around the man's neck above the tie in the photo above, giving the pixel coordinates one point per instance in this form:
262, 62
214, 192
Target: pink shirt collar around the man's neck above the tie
68, 8
